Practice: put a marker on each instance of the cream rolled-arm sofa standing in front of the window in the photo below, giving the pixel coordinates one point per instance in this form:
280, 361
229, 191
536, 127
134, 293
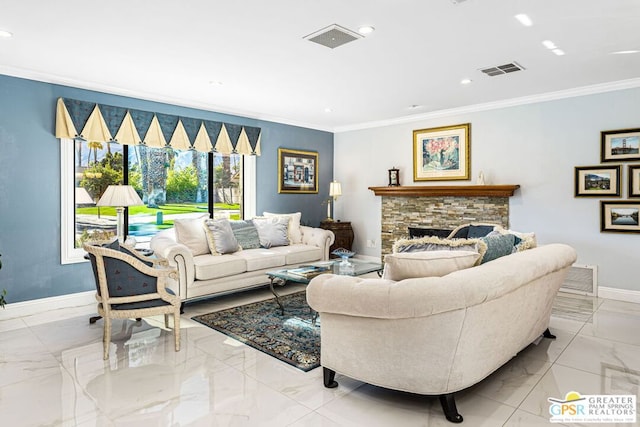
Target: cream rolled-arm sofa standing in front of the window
204, 273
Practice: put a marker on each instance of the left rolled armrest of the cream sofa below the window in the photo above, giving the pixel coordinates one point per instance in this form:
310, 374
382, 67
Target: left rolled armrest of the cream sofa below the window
177, 255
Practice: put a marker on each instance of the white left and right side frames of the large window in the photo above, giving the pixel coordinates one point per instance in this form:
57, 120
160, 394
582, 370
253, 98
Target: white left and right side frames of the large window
69, 254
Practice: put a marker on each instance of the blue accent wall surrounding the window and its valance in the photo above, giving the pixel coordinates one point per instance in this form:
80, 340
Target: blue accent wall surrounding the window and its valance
30, 182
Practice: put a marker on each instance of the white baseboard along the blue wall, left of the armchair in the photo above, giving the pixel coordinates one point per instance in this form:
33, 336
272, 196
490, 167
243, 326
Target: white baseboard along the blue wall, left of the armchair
43, 305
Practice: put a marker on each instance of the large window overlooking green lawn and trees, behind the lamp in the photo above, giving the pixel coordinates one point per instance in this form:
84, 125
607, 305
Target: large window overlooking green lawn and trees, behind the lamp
171, 183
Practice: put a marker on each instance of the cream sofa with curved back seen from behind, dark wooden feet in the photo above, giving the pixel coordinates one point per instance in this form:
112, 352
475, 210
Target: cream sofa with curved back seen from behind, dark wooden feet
437, 335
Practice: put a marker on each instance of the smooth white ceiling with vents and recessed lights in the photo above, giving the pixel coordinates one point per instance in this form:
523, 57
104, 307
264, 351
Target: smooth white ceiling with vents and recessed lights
177, 52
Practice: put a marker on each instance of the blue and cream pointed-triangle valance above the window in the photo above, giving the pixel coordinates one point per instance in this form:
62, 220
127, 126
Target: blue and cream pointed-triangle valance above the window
104, 123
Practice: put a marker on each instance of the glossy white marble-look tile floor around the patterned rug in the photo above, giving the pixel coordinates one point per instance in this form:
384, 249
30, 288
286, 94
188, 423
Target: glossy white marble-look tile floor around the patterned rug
52, 374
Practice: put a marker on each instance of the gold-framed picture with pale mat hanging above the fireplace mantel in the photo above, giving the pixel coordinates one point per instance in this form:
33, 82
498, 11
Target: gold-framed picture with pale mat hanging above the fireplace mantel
442, 153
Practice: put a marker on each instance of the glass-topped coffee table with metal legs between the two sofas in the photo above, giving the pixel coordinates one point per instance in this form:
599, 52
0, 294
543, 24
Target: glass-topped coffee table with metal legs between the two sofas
354, 267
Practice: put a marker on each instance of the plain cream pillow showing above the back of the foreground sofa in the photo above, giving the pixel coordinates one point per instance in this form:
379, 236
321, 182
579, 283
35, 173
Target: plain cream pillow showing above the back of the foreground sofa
407, 265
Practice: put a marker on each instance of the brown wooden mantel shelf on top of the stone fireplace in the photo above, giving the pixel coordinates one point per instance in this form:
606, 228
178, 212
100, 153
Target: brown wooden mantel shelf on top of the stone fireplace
447, 190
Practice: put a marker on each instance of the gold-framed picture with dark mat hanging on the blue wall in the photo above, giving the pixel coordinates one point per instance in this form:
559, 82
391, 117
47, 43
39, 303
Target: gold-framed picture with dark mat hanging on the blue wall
297, 171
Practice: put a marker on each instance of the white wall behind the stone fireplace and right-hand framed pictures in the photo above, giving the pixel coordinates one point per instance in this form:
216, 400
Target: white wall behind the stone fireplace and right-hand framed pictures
535, 145
